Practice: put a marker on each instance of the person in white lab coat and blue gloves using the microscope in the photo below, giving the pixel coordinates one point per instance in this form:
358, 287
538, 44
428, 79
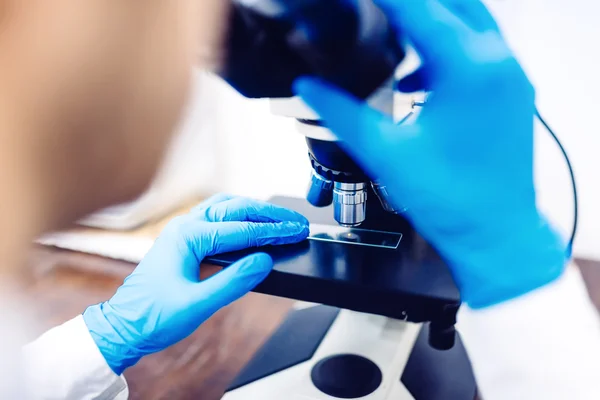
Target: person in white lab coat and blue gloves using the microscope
90, 93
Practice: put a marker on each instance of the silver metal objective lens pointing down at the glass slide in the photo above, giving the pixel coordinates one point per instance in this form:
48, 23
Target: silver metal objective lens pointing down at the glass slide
349, 203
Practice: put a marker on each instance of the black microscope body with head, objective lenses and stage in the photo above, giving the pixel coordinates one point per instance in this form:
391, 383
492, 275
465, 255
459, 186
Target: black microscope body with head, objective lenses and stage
352, 45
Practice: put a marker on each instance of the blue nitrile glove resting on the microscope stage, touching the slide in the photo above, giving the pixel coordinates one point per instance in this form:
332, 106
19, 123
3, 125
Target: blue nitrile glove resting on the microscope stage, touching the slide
163, 301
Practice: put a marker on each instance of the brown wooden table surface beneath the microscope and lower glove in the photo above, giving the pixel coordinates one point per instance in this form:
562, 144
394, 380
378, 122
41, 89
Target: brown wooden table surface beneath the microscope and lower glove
201, 366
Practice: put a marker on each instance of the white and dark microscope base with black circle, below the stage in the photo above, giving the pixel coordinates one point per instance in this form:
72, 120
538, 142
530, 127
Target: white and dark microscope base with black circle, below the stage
321, 352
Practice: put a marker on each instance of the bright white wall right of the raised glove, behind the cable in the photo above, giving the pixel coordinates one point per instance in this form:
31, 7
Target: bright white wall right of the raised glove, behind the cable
557, 43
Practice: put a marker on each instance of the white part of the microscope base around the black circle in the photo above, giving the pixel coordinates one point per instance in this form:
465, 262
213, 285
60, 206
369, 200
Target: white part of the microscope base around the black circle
386, 342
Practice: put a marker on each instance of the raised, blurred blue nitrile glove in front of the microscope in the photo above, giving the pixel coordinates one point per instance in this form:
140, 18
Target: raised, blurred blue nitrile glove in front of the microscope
465, 167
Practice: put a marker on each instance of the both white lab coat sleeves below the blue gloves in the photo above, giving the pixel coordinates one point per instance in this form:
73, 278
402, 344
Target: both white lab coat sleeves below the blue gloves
545, 345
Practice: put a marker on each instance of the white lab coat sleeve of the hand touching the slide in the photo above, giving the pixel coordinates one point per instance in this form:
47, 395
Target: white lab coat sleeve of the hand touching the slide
65, 363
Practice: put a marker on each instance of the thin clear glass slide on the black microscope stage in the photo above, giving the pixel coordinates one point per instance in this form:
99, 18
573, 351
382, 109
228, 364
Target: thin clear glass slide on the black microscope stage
355, 236
